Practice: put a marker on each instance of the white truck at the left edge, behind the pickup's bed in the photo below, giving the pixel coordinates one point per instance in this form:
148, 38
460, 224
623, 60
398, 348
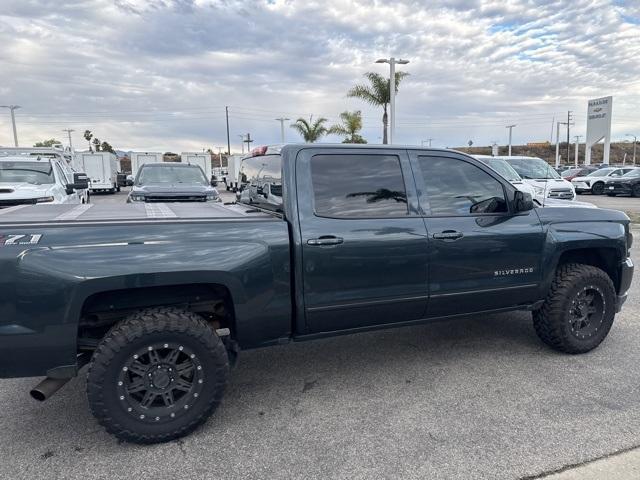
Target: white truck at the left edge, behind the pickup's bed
31, 180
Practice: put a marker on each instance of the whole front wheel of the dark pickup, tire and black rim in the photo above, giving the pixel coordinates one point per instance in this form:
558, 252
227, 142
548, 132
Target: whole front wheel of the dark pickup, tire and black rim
578, 311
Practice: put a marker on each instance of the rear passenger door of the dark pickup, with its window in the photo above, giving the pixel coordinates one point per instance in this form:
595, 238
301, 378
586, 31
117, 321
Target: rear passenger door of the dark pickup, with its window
364, 245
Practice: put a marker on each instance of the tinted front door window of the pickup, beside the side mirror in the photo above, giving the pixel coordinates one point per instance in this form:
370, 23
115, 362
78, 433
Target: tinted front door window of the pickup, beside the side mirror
455, 187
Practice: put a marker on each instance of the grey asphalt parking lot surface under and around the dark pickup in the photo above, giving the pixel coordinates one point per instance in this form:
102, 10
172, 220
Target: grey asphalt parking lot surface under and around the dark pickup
477, 398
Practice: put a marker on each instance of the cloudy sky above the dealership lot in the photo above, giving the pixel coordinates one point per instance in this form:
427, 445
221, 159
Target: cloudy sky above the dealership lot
157, 74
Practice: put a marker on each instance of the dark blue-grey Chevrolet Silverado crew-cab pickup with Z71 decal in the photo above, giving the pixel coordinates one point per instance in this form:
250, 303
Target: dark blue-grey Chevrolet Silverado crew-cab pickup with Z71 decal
158, 299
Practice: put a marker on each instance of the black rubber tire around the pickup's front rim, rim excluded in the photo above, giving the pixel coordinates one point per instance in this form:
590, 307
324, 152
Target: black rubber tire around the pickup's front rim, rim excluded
552, 321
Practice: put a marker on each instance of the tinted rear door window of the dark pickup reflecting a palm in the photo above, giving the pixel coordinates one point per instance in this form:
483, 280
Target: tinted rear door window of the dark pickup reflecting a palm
358, 186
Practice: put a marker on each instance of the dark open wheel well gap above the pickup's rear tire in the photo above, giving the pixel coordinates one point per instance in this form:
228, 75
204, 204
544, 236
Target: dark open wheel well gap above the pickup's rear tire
101, 310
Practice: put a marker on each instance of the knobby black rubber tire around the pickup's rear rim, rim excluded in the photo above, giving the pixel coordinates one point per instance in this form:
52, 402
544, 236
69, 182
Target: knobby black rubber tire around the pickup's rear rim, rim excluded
156, 326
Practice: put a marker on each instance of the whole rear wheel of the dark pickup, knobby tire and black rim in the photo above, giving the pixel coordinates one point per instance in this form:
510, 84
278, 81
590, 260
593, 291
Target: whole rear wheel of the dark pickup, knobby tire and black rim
157, 375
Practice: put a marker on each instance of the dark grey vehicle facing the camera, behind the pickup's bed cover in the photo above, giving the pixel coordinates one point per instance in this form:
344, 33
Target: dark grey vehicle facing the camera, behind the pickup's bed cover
172, 182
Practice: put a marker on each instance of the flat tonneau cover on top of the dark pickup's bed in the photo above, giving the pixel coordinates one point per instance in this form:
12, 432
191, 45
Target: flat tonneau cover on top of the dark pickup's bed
135, 213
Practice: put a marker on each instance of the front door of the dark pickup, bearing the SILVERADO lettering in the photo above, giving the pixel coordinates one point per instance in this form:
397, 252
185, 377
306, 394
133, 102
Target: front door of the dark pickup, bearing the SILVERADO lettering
483, 256
